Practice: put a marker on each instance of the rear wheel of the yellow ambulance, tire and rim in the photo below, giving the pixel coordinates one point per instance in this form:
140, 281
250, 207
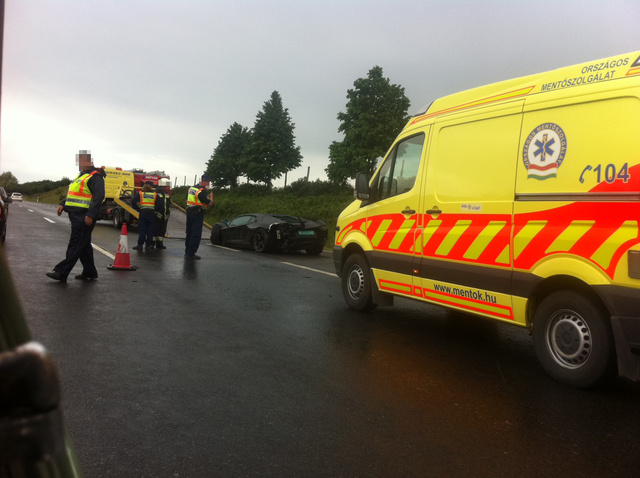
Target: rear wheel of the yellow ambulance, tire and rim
573, 339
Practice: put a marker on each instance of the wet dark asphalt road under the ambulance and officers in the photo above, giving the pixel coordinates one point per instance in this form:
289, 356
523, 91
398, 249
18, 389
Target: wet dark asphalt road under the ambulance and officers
244, 365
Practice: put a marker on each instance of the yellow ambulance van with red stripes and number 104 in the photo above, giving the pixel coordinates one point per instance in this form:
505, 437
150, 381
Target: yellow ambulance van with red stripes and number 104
520, 202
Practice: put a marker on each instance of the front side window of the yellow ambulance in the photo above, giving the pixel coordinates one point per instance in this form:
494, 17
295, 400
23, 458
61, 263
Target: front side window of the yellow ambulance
399, 171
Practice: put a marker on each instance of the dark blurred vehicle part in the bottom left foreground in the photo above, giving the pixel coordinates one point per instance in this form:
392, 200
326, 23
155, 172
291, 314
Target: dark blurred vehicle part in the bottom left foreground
33, 439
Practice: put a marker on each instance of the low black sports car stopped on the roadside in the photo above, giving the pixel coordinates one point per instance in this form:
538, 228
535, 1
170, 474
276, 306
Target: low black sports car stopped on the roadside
271, 232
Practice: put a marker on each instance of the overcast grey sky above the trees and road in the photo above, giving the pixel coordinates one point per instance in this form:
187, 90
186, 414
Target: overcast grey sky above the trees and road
154, 84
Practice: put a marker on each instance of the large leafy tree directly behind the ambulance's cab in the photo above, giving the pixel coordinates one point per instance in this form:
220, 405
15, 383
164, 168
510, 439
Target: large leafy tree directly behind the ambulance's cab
376, 113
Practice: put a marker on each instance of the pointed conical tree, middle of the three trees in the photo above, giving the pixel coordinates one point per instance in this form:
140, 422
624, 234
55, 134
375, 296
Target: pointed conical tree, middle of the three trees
272, 150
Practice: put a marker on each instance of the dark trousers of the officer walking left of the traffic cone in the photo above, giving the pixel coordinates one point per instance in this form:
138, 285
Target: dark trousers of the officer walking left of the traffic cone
79, 246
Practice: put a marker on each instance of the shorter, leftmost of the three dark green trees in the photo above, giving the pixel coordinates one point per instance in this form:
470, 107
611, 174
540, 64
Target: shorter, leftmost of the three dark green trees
228, 159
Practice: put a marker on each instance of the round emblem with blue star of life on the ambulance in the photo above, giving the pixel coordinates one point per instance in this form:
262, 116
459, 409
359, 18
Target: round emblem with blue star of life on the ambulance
544, 151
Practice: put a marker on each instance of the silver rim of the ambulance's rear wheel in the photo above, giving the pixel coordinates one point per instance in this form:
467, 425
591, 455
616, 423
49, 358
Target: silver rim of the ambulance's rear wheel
568, 339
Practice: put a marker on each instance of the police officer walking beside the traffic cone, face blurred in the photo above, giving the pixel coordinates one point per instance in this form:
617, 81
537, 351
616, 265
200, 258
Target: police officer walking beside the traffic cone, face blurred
82, 204
